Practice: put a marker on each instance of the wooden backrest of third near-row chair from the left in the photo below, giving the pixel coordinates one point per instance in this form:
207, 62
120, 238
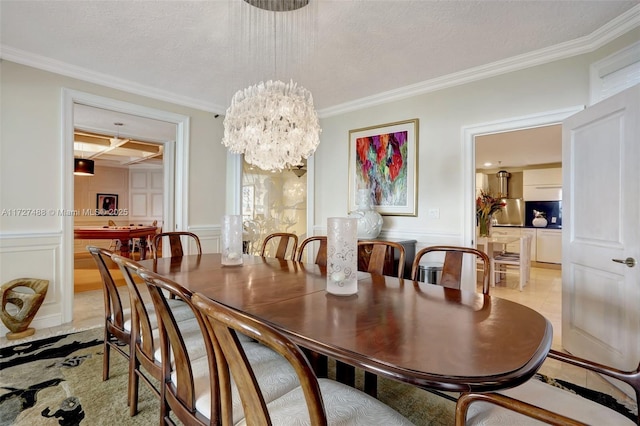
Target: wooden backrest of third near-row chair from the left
180, 394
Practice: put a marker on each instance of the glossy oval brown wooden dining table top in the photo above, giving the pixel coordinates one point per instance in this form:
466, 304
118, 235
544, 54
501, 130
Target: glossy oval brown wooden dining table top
423, 334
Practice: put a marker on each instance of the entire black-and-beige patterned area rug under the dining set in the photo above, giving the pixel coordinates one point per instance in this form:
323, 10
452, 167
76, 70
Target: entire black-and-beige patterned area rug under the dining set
58, 381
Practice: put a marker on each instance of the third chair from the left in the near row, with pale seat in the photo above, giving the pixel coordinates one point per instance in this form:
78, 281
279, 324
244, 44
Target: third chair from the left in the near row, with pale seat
191, 384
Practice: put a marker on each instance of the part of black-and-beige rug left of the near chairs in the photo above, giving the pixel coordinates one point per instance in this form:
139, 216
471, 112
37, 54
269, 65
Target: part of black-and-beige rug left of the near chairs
58, 381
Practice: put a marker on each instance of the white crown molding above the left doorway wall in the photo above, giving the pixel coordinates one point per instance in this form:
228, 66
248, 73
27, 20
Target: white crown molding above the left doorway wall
47, 64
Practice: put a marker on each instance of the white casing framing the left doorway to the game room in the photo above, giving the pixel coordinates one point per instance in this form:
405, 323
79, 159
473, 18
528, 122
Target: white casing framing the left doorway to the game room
175, 209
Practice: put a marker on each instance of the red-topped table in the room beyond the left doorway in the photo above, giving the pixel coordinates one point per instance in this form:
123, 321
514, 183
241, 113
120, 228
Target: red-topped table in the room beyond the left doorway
123, 233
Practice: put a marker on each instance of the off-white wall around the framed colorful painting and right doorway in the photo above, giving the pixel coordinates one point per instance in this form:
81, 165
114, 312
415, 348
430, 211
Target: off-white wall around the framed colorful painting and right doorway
442, 116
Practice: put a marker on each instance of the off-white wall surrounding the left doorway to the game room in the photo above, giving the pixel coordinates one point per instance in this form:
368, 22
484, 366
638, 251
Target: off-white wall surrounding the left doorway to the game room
31, 163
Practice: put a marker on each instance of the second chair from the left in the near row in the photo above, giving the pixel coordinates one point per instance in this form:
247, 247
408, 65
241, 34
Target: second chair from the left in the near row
145, 361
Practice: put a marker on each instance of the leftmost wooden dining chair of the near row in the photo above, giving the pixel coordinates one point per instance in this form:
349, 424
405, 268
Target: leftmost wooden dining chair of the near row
116, 334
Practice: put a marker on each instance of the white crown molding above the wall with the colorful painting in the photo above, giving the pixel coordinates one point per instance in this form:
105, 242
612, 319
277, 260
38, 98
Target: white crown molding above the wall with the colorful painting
603, 35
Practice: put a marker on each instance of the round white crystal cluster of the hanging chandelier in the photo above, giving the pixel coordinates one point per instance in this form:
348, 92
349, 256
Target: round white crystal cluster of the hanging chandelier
273, 124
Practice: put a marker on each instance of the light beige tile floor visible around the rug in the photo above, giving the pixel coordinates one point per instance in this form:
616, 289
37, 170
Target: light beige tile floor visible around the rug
543, 294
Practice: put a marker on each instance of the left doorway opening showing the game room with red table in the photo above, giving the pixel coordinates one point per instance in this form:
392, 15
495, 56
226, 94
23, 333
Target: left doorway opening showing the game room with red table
128, 152
